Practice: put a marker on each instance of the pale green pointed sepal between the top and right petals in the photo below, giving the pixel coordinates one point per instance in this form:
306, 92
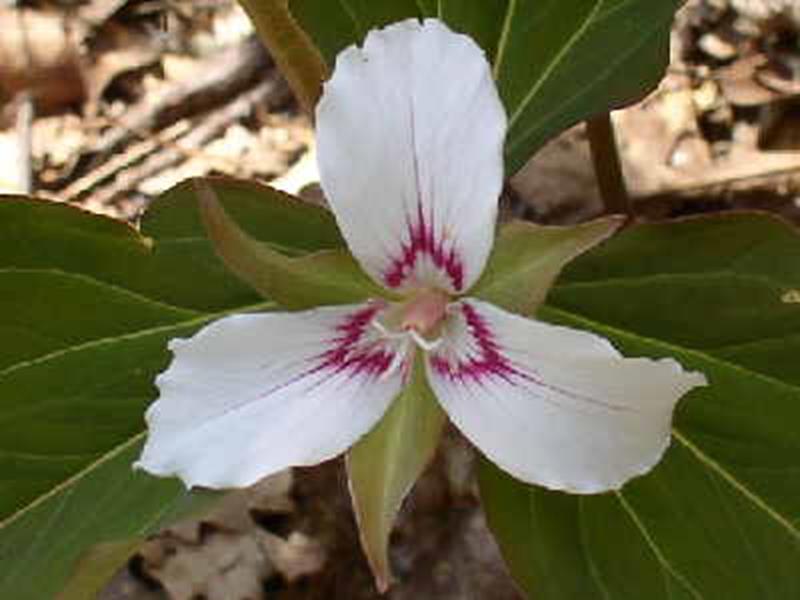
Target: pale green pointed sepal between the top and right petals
527, 258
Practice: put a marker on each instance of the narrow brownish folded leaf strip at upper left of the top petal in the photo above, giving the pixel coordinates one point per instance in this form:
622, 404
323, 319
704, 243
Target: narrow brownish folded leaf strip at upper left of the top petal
297, 57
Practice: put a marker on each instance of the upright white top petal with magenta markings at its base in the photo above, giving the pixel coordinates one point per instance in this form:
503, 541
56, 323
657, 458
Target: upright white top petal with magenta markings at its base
410, 134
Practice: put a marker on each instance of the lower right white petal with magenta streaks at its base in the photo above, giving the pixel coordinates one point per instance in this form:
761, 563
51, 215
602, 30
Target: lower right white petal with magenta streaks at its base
551, 405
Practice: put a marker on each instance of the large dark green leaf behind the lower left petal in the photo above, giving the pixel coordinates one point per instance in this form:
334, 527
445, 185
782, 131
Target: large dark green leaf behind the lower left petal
87, 306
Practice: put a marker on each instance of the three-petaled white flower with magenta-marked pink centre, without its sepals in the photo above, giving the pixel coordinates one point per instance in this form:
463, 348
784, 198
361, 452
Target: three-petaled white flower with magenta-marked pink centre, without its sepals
410, 133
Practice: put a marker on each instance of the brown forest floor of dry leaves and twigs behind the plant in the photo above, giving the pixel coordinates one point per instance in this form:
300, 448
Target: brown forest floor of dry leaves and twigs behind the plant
118, 100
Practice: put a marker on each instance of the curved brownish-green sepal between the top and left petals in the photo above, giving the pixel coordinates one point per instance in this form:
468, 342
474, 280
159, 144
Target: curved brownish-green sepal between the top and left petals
324, 278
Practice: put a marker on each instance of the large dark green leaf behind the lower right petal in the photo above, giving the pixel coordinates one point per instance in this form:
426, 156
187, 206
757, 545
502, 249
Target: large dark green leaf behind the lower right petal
718, 517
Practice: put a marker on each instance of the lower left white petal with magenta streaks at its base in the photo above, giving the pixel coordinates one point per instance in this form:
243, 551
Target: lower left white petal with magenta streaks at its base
252, 394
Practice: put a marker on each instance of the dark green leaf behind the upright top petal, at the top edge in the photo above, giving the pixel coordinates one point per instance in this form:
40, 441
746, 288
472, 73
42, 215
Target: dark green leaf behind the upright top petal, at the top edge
556, 62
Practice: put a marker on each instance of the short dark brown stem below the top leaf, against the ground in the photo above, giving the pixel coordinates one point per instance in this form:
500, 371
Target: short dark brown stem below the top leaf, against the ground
607, 166
